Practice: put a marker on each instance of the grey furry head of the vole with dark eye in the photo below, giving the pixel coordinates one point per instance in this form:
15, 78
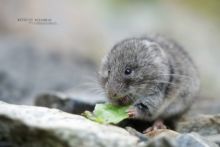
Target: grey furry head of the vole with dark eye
133, 68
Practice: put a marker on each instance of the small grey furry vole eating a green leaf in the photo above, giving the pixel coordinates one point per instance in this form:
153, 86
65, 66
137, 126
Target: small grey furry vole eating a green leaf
152, 73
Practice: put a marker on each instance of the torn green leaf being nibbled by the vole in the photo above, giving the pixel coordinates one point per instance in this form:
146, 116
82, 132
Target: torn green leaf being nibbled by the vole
107, 113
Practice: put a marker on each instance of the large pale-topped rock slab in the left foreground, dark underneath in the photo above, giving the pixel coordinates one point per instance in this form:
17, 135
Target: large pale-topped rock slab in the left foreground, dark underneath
31, 126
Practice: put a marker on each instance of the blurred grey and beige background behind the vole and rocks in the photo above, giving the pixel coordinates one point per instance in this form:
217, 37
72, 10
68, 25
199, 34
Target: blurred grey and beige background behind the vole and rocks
63, 53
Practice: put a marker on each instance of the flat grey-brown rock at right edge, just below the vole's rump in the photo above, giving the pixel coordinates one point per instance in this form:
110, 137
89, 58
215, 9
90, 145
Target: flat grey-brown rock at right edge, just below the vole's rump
205, 125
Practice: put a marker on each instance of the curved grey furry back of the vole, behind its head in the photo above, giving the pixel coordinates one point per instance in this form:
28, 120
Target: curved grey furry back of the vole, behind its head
184, 79
